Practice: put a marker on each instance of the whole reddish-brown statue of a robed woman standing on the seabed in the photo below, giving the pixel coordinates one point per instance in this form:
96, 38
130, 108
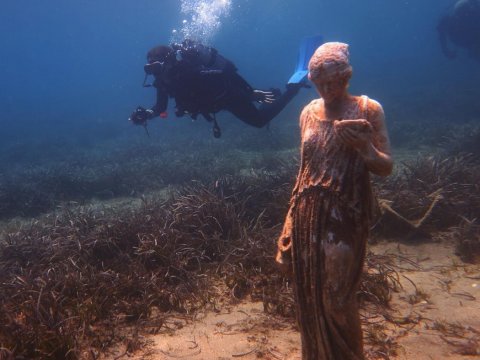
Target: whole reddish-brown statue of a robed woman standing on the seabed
343, 139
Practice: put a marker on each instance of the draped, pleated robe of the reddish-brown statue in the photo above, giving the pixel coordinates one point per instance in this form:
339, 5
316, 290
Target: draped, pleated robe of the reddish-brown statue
328, 226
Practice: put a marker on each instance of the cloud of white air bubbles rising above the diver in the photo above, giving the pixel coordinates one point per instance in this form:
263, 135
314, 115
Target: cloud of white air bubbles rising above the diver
202, 19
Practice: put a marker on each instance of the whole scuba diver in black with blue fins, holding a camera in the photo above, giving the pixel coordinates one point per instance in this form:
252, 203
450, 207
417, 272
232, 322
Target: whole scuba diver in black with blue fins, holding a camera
203, 82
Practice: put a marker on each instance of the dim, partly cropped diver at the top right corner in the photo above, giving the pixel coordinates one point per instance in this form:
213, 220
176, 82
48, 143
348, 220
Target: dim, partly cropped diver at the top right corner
462, 27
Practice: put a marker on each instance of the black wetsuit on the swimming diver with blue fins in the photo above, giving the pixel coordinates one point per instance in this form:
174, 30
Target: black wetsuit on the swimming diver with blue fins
202, 82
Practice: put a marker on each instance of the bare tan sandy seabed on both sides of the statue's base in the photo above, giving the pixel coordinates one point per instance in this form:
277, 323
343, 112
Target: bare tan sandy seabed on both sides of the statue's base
438, 302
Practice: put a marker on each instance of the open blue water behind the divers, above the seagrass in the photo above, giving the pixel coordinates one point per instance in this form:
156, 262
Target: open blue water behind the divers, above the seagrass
74, 69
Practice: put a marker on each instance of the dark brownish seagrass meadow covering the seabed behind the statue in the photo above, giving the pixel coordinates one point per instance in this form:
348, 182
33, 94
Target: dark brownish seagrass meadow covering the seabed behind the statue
100, 250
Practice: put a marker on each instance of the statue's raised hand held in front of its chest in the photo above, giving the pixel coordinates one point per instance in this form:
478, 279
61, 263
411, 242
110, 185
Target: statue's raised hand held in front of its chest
355, 133
